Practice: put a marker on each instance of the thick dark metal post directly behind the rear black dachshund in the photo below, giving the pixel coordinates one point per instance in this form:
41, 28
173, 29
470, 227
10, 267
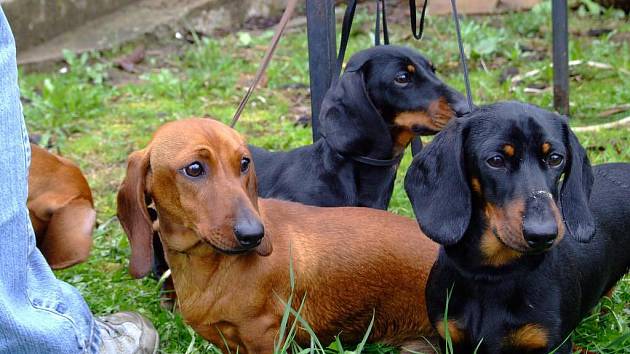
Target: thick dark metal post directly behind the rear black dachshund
322, 50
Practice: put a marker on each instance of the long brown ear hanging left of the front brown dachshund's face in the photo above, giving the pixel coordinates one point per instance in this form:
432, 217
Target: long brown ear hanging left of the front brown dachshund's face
133, 214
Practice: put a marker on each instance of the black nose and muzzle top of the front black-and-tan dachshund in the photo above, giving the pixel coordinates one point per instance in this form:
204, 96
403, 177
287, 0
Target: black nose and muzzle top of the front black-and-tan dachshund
540, 228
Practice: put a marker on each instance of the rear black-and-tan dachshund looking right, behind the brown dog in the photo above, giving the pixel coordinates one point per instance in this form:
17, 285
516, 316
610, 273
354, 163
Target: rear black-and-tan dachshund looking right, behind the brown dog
386, 96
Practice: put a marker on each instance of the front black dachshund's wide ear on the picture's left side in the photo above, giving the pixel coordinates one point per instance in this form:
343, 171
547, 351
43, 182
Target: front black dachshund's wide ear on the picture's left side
437, 187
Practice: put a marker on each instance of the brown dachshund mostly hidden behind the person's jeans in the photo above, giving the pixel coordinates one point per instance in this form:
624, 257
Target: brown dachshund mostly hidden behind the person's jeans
61, 209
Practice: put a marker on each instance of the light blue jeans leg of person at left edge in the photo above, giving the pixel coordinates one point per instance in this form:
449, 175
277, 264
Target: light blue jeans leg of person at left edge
38, 313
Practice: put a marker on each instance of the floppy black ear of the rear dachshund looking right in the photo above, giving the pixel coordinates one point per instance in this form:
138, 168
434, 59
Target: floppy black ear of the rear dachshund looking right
349, 119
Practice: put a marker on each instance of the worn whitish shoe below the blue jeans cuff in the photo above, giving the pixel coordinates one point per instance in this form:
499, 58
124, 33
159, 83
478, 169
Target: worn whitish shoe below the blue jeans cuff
127, 333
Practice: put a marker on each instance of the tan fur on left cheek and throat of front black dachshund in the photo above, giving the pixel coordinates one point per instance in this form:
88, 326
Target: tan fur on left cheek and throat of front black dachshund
503, 239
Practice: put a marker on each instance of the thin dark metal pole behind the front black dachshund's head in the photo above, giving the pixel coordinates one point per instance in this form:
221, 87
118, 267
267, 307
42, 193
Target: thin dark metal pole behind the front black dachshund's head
560, 33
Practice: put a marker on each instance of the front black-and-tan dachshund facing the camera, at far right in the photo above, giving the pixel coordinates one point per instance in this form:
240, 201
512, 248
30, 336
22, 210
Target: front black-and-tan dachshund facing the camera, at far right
499, 189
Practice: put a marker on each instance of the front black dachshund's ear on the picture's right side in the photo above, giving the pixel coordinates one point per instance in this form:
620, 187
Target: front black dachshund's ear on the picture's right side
576, 191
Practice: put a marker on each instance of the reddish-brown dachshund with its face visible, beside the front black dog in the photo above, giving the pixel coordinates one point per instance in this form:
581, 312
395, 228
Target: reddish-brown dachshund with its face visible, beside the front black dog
231, 273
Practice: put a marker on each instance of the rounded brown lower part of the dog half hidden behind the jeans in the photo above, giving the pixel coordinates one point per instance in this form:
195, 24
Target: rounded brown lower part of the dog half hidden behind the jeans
68, 237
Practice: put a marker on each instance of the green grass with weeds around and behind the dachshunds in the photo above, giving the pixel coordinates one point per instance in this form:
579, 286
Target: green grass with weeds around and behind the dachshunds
94, 119
